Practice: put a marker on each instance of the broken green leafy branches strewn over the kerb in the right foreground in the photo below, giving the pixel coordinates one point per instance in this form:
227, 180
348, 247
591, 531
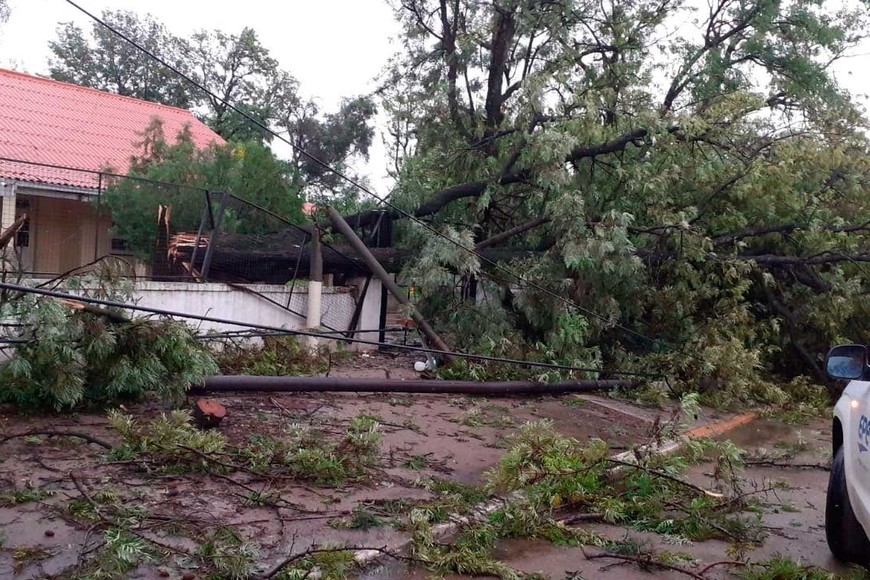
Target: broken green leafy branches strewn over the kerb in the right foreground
556, 473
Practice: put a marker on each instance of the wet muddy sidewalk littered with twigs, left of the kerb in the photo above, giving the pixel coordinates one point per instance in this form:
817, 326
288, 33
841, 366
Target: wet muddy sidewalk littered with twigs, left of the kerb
425, 437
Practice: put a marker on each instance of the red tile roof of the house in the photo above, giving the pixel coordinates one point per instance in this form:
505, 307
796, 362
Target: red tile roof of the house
53, 123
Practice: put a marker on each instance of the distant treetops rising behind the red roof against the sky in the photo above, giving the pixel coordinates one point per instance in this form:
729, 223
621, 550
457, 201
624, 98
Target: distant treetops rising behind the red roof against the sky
237, 68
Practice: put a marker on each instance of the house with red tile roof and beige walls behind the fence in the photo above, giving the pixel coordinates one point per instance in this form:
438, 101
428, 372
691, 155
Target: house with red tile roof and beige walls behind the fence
55, 139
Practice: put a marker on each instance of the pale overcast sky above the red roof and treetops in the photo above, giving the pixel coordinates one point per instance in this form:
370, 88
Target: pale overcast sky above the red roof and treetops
336, 48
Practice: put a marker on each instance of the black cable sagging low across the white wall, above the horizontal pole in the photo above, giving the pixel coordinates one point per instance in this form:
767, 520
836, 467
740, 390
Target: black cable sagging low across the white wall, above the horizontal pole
305, 333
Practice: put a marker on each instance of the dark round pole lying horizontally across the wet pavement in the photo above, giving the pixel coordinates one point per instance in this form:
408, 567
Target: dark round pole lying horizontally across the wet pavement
251, 384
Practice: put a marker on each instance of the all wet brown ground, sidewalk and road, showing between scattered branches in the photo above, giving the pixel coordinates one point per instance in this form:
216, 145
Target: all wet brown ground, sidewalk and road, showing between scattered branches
425, 438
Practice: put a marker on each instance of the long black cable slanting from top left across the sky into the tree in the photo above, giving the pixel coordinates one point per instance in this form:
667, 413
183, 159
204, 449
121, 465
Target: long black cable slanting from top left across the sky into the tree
360, 186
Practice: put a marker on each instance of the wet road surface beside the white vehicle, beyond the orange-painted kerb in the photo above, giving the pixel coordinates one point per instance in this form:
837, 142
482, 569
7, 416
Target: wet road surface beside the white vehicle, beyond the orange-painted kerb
793, 516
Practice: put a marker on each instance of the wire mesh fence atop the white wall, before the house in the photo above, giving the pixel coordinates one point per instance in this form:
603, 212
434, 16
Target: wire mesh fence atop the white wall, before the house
63, 220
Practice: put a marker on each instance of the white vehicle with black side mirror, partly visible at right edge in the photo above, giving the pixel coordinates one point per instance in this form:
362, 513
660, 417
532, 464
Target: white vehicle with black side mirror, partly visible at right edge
847, 513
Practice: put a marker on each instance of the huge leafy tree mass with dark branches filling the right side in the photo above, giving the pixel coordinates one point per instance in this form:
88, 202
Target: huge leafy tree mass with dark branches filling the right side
692, 179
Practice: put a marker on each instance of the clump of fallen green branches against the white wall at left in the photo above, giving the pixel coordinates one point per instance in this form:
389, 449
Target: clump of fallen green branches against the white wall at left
72, 357
